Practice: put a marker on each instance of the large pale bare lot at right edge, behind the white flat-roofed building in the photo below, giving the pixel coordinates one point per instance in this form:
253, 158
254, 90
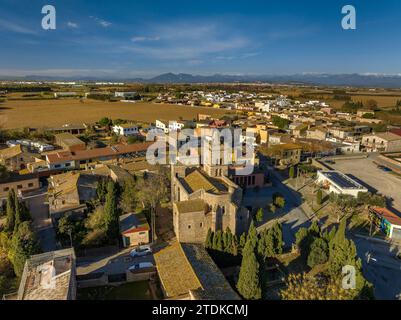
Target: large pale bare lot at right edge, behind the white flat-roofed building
375, 179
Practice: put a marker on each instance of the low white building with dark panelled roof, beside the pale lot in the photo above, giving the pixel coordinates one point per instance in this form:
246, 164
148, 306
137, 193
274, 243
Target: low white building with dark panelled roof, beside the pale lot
339, 183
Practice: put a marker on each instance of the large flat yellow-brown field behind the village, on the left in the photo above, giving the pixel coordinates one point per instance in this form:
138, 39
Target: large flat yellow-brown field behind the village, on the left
49, 113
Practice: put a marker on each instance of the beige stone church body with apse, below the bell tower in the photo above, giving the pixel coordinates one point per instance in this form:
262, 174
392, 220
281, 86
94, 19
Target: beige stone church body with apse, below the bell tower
202, 202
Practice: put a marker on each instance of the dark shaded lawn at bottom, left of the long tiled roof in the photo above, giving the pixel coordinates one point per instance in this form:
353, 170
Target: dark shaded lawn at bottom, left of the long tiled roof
127, 291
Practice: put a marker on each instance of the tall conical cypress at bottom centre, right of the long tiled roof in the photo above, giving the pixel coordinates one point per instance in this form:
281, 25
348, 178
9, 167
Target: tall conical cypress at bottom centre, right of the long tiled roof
248, 284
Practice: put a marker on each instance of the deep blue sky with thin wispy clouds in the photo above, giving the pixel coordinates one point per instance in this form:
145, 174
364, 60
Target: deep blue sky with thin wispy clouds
145, 38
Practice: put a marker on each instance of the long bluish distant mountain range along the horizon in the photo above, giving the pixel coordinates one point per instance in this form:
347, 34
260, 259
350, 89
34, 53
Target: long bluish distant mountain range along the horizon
354, 80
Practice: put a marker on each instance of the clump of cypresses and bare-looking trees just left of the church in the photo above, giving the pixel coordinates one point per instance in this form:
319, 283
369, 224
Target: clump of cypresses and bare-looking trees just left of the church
101, 227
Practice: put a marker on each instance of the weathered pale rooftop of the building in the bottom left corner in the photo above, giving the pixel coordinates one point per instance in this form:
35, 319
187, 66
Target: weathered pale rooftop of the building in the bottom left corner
49, 276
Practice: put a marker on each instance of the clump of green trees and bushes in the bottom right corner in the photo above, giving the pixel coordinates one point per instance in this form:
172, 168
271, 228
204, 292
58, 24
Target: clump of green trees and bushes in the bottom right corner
335, 251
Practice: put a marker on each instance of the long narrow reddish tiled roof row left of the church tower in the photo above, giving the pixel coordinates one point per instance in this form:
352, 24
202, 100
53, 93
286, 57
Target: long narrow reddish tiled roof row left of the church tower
113, 151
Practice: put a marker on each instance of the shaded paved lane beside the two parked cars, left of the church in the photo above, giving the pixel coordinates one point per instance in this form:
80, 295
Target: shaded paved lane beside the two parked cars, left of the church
114, 264
